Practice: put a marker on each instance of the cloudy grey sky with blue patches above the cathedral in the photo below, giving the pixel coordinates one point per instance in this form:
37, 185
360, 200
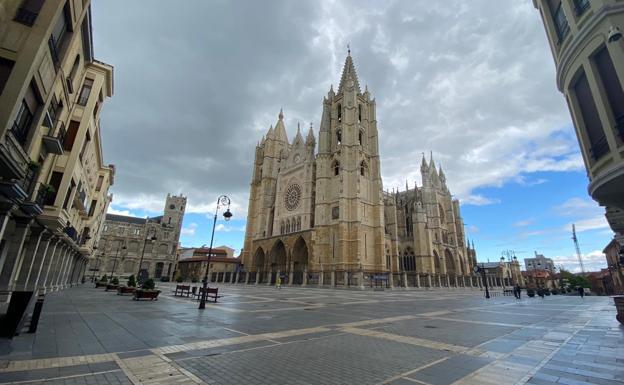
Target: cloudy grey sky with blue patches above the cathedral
197, 84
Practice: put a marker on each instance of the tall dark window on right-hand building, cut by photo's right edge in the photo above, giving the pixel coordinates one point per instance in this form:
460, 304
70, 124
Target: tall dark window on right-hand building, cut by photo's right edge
612, 86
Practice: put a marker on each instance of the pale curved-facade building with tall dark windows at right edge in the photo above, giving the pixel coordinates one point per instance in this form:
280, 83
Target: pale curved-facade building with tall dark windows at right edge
586, 42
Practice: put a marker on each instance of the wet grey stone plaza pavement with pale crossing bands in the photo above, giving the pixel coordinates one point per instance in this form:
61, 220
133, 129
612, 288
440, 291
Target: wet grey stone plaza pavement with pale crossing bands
261, 335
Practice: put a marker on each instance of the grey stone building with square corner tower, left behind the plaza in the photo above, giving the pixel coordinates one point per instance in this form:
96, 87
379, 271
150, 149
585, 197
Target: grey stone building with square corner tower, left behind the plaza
126, 239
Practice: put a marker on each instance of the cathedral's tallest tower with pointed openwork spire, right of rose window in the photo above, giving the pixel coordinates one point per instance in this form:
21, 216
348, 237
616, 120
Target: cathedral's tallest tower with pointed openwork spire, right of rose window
349, 210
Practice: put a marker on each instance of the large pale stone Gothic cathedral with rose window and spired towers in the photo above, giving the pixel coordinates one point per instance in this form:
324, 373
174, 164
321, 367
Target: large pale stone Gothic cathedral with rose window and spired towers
320, 216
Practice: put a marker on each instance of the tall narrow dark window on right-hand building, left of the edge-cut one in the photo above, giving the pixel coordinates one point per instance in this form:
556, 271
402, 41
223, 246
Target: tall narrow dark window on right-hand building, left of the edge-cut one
589, 114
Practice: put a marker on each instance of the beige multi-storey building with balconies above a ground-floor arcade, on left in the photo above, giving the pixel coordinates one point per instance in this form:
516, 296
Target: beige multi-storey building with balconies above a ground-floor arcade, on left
53, 180
